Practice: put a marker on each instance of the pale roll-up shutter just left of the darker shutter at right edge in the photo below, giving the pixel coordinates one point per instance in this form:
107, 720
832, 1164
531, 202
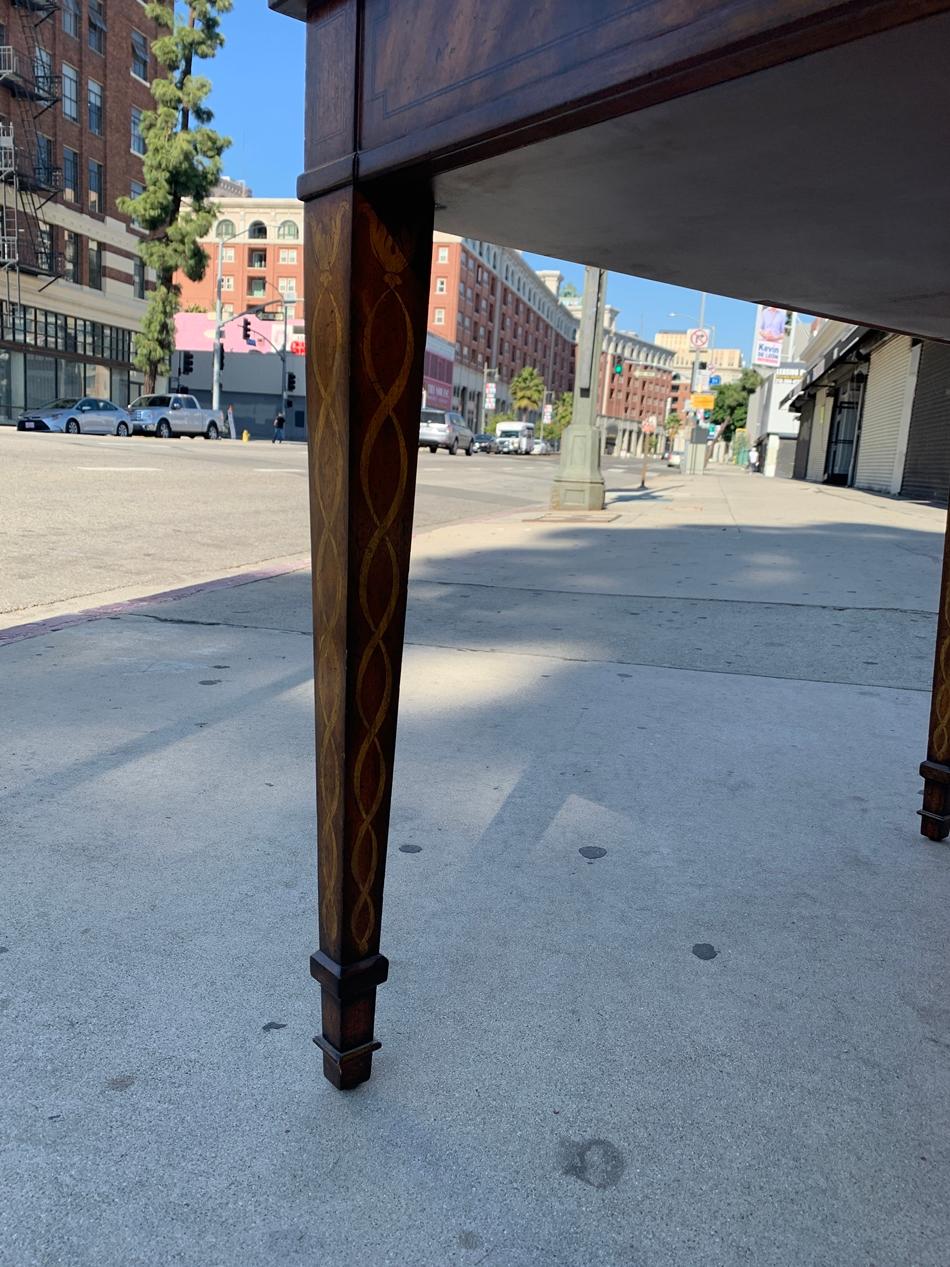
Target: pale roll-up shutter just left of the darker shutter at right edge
889, 379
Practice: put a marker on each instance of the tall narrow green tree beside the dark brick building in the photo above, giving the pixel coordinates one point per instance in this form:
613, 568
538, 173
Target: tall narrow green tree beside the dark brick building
182, 168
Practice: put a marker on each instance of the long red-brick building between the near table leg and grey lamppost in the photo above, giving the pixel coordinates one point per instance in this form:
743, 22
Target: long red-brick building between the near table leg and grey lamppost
502, 316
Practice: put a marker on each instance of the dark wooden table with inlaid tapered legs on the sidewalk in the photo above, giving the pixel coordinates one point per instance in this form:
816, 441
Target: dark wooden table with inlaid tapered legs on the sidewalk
782, 151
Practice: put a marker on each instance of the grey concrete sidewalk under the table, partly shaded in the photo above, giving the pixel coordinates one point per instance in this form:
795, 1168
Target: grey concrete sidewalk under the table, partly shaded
724, 1040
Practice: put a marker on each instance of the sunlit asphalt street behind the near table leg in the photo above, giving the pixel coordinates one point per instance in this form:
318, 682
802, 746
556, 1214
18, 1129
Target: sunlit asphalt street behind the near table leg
91, 520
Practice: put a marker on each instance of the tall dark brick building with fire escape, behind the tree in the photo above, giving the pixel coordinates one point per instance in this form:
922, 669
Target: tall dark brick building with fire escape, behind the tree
73, 89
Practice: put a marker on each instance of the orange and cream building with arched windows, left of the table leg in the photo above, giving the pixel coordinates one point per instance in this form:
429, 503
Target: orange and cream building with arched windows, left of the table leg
262, 250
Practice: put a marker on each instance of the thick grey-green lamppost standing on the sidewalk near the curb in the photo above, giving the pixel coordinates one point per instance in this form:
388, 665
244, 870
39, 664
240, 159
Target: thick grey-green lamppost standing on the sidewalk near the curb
579, 485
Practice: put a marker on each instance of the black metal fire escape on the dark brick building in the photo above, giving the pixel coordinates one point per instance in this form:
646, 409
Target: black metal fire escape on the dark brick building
28, 178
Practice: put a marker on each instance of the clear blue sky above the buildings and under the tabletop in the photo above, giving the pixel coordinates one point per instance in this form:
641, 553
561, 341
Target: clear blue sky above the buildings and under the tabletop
259, 102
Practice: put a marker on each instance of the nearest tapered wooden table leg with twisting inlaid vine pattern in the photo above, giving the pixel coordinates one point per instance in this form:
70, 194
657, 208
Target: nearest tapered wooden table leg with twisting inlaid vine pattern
368, 276
